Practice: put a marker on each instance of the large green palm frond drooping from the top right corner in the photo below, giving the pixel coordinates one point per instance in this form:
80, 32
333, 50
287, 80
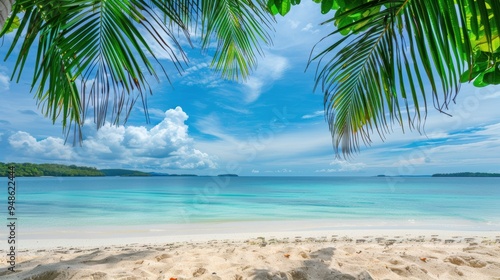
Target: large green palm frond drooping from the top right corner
397, 55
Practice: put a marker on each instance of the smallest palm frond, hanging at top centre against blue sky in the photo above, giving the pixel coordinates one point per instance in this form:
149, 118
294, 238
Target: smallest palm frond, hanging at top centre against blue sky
239, 26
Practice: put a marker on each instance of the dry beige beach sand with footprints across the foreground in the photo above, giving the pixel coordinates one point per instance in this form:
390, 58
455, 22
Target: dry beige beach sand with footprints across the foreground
323, 255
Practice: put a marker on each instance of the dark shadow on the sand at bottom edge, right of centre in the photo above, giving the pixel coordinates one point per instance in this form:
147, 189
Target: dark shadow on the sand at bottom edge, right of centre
316, 267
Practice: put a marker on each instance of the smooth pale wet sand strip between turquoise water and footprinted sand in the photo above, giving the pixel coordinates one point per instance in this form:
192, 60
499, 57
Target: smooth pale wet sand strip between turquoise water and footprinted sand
85, 236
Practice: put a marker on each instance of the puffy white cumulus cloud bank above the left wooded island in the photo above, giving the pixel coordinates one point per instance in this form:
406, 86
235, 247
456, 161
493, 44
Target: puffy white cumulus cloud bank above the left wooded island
166, 145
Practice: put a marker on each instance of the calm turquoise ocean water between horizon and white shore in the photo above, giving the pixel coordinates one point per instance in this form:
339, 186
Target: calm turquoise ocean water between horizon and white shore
114, 201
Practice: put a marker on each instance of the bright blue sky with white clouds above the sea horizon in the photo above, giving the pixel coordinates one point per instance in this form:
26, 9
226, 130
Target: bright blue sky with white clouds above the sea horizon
270, 125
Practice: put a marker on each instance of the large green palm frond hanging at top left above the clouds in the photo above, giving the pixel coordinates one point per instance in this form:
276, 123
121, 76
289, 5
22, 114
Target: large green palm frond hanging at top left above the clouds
99, 45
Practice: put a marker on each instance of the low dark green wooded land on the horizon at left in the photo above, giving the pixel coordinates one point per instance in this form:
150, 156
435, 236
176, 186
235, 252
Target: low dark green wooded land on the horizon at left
61, 170
